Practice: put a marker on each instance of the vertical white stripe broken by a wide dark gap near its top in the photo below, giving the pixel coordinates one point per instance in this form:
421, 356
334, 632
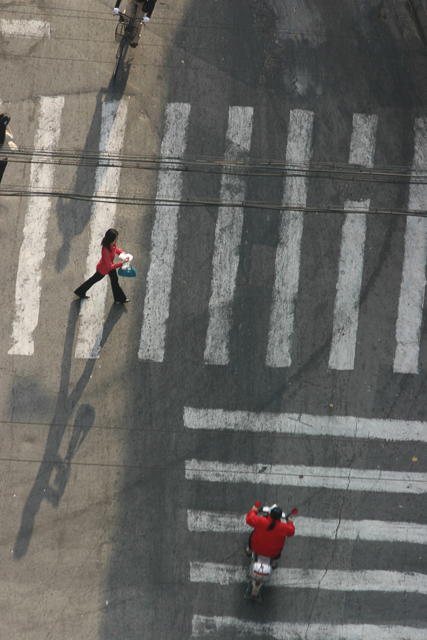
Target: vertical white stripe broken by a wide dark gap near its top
350, 270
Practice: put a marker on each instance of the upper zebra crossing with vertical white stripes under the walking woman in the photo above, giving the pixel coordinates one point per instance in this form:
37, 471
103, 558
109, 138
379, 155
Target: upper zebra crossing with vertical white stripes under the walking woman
227, 244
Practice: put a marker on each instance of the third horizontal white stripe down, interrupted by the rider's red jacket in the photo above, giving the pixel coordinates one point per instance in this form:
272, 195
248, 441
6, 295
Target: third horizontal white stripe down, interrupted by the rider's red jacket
366, 530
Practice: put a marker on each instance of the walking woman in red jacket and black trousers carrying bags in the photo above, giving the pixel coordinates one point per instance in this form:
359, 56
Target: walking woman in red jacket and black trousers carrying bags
106, 266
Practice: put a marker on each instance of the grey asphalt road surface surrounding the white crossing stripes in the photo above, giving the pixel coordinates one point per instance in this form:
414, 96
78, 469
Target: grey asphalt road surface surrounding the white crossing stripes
94, 540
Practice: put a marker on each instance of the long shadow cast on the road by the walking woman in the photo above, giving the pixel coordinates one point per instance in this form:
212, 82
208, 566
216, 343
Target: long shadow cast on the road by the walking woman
65, 406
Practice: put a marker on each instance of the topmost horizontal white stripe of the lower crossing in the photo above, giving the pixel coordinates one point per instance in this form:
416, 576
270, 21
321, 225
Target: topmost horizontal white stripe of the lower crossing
304, 424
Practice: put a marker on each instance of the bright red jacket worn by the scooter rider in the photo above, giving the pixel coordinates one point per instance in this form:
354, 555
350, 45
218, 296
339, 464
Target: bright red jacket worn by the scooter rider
268, 543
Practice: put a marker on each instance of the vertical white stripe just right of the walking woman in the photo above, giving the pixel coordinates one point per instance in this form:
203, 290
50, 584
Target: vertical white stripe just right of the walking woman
164, 238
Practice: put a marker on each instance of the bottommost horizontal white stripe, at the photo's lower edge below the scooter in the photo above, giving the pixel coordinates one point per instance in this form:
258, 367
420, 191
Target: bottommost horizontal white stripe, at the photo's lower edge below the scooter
216, 626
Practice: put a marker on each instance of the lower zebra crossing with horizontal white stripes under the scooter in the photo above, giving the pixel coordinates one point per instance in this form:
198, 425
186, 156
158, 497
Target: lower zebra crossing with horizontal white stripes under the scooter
214, 523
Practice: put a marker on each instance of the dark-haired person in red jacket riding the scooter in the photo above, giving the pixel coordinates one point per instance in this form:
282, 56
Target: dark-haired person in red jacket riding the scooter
269, 534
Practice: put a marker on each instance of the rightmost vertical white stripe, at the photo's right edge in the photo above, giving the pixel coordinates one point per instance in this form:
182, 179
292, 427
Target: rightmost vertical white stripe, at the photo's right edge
412, 288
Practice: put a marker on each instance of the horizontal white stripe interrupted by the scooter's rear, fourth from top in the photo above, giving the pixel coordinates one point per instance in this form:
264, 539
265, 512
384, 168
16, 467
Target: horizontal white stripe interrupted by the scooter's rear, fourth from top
332, 580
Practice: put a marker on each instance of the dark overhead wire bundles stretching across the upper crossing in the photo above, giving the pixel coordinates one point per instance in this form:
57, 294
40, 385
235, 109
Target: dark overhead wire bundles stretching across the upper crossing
266, 169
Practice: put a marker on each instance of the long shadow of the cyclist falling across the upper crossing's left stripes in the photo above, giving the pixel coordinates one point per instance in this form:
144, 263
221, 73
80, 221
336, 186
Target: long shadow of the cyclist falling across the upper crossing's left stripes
74, 215
